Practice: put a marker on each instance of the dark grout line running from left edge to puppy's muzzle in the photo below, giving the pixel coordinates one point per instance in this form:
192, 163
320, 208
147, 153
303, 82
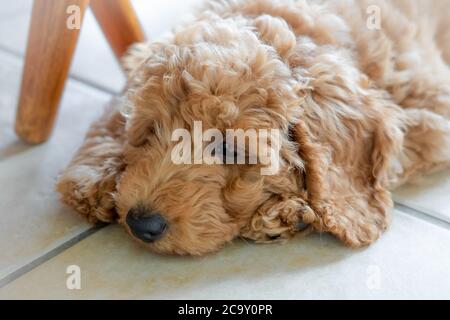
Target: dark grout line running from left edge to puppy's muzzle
49, 255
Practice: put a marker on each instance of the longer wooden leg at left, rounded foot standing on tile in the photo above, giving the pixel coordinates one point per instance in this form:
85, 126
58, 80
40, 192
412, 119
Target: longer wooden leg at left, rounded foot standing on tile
50, 48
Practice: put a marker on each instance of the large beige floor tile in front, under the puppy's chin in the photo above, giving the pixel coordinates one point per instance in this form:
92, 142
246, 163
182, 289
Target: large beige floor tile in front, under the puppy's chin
410, 261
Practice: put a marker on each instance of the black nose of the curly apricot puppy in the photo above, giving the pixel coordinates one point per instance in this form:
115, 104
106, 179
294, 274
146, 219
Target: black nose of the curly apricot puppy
146, 226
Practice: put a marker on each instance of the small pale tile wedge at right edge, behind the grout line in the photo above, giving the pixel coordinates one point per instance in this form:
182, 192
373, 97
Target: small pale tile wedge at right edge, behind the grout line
431, 196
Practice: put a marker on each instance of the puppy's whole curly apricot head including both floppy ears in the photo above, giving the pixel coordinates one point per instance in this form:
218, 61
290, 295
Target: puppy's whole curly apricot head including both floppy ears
168, 184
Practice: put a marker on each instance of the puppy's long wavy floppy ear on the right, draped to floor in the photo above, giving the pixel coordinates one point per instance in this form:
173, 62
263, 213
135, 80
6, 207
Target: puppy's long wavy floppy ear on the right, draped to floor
348, 147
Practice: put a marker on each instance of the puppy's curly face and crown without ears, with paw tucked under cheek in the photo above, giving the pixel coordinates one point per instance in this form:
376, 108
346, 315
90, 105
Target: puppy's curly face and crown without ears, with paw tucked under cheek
189, 183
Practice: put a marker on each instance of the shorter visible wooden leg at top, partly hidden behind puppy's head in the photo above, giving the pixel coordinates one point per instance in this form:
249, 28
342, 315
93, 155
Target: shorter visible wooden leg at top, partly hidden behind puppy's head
119, 23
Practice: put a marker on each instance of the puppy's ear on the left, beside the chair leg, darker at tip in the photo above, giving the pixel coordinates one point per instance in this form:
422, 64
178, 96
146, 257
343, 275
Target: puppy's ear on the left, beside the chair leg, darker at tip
89, 182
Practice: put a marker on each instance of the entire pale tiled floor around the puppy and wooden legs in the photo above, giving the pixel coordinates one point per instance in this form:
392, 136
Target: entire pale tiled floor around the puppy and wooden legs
40, 237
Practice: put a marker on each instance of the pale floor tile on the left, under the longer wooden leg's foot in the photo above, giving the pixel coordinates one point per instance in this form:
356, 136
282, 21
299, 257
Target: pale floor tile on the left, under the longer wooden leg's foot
33, 221
